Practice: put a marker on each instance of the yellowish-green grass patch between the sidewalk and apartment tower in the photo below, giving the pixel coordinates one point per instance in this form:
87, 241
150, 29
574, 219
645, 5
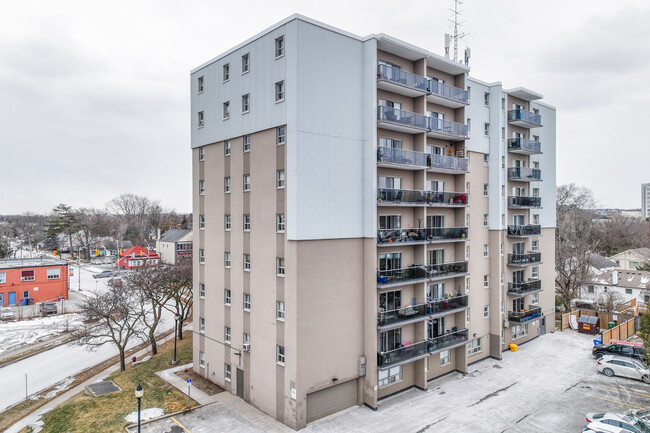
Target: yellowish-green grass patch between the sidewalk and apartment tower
106, 414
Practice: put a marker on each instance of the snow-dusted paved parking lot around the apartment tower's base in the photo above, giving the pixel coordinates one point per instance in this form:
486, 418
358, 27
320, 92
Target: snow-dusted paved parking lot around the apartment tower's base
548, 385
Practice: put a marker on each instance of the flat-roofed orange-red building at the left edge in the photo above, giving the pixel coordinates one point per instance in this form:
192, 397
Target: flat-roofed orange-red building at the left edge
40, 279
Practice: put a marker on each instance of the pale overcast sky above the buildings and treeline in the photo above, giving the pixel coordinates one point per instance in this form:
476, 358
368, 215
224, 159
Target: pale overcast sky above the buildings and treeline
94, 97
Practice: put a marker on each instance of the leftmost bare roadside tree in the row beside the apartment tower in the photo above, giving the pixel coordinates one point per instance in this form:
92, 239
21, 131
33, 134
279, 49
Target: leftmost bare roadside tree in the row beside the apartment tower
111, 317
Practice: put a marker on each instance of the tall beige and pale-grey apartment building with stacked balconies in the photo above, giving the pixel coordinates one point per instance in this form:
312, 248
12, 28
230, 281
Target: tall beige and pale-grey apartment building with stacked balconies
369, 216
